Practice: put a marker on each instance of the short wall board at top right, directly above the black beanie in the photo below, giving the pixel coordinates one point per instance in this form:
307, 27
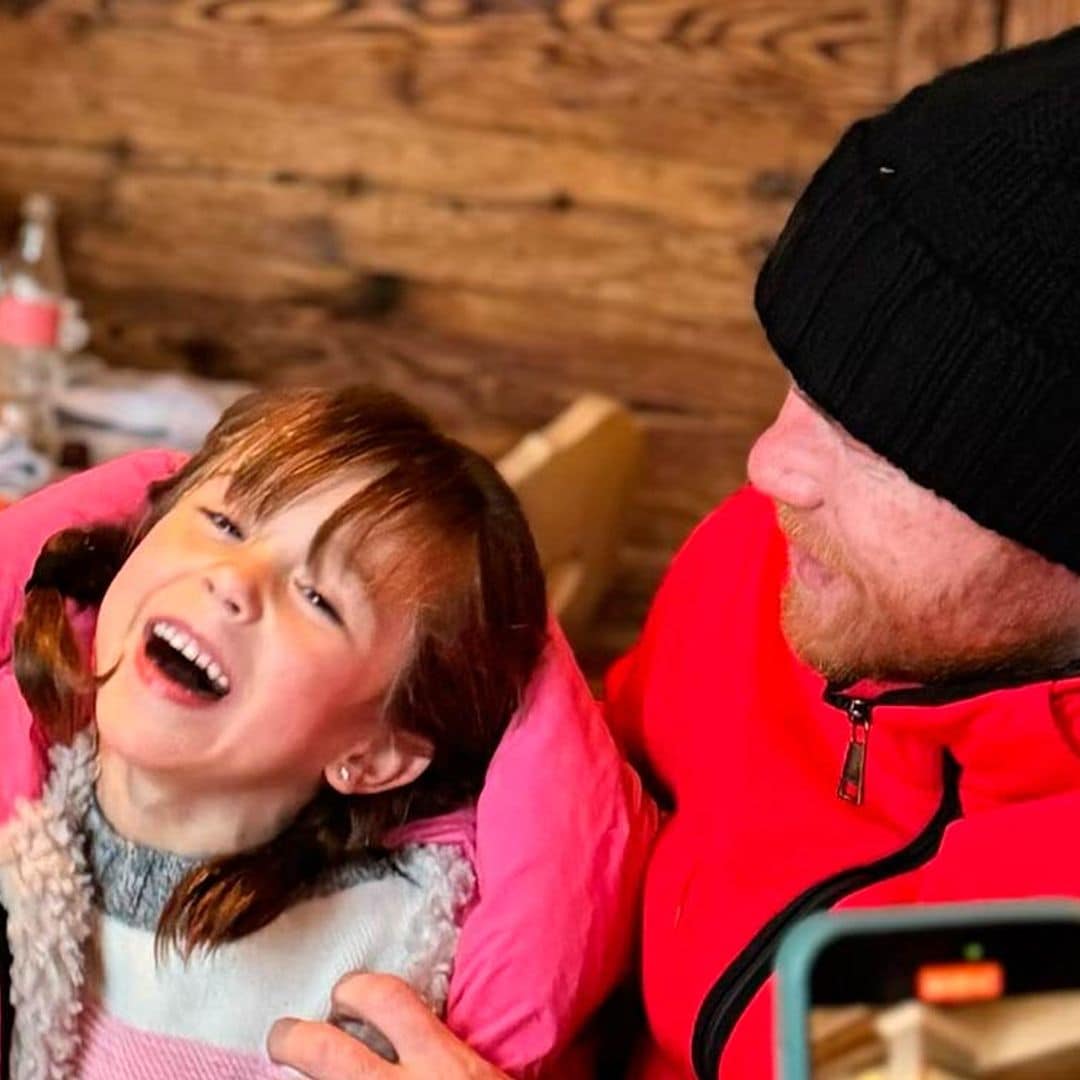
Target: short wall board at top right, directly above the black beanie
935, 35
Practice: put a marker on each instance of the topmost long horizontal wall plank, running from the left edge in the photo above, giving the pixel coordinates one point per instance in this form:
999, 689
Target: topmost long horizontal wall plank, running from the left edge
184, 85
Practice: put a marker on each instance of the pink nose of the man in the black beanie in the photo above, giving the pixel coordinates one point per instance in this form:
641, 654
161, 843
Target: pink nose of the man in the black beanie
790, 462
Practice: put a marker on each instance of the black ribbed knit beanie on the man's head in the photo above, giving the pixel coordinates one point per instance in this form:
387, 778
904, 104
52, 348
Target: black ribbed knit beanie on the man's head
926, 291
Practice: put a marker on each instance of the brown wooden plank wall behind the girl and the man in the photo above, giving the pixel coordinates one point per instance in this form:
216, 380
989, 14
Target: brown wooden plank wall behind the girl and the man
491, 206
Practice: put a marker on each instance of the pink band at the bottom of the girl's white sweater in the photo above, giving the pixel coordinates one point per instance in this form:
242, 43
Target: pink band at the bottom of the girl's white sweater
113, 1050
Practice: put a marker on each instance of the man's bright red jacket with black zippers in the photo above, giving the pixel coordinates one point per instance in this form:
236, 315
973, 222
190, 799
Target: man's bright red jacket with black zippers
713, 705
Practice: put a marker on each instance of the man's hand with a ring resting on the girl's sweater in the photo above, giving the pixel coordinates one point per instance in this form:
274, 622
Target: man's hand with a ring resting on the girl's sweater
426, 1049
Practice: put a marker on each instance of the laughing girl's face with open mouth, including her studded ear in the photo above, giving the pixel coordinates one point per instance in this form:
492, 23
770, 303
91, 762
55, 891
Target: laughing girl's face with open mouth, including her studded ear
242, 666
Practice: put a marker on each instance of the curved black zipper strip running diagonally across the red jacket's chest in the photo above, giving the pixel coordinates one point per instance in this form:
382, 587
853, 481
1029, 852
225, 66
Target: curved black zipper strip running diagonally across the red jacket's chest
727, 1000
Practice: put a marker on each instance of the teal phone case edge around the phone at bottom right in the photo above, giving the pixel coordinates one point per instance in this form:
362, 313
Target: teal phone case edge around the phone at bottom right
800, 949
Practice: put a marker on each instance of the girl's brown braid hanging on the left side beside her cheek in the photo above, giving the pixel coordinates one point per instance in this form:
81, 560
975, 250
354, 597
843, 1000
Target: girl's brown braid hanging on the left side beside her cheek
51, 671
